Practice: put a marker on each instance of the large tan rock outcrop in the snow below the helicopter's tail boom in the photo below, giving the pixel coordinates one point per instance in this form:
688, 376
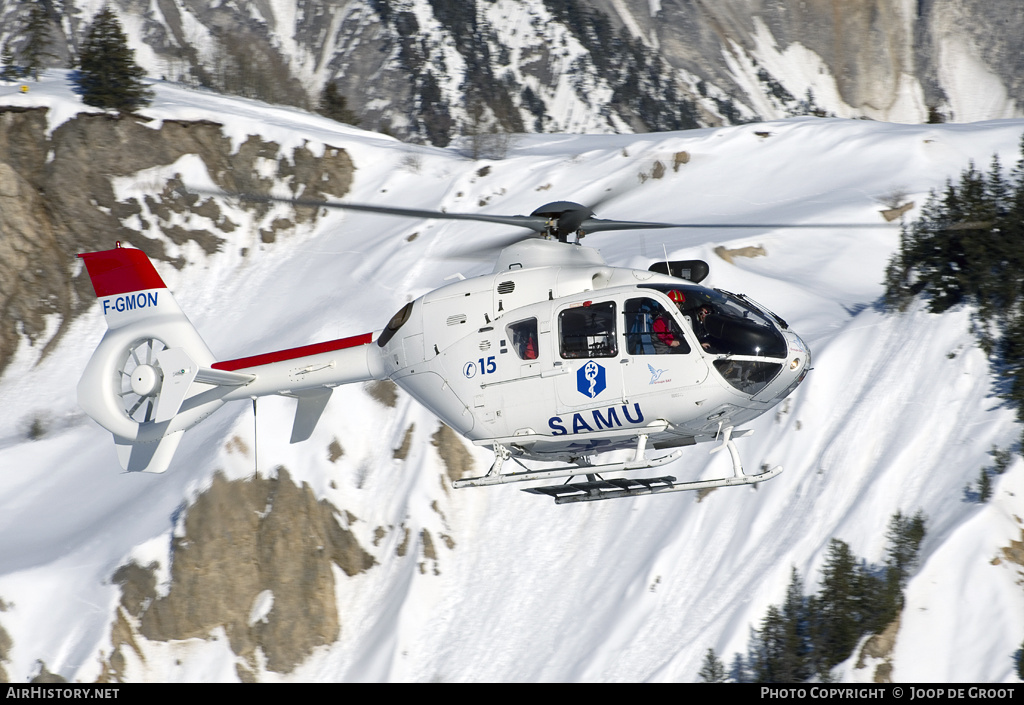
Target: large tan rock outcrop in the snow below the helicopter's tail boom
257, 559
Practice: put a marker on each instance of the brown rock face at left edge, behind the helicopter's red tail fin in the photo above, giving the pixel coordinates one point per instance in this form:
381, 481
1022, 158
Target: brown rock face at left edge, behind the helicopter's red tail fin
58, 199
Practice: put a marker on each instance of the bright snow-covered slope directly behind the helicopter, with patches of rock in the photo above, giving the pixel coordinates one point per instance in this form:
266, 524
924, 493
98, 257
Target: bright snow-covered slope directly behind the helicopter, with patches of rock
352, 559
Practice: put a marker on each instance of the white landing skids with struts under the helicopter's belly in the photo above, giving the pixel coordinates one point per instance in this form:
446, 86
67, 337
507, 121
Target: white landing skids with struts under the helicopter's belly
599, 488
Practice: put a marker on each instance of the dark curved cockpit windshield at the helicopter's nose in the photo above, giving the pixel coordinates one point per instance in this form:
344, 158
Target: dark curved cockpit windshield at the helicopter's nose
724, 323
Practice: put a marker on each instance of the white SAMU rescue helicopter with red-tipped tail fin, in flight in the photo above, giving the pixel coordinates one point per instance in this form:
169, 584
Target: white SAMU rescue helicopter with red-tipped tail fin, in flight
556, 356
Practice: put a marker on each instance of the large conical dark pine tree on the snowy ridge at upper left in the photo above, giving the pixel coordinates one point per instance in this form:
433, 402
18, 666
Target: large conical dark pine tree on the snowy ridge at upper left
108, 74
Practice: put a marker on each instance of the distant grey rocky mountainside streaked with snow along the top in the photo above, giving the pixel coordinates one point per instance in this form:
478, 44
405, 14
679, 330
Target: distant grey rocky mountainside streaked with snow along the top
434, 70
